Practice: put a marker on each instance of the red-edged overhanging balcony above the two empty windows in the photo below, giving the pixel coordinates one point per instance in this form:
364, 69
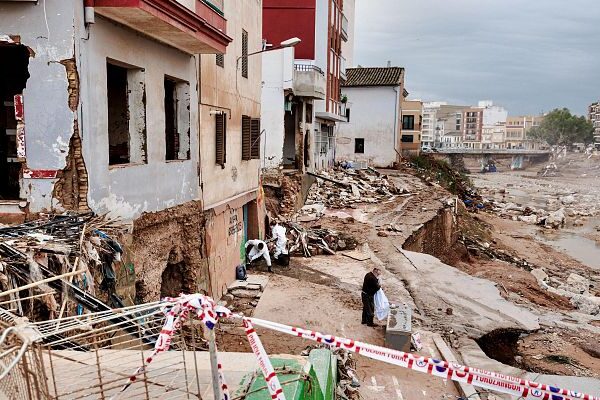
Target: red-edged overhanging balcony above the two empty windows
192, 26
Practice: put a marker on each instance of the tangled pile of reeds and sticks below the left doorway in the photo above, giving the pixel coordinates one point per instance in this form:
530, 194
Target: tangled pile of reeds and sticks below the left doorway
76, 248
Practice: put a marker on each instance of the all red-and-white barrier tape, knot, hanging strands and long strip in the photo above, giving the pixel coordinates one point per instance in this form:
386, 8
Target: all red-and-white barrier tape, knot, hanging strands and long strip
206, 310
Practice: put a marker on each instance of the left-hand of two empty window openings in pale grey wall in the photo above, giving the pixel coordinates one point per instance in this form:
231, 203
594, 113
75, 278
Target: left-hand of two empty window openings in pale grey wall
126, 98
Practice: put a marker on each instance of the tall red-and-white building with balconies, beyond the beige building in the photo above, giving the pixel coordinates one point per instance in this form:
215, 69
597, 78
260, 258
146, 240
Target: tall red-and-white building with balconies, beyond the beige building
302, 103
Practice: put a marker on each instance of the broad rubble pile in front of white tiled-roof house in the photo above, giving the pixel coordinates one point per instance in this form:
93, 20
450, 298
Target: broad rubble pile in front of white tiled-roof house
346, 188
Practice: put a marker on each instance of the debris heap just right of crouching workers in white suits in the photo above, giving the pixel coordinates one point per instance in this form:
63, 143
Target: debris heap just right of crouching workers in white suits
316, 240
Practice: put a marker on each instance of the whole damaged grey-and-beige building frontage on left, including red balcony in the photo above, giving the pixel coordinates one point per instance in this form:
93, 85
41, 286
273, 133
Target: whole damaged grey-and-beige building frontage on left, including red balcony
135, 110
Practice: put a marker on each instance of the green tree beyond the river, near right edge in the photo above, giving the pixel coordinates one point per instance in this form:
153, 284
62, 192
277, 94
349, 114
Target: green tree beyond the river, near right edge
560, 127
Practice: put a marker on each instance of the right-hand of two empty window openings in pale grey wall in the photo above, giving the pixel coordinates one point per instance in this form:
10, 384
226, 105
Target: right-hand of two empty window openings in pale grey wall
177, 120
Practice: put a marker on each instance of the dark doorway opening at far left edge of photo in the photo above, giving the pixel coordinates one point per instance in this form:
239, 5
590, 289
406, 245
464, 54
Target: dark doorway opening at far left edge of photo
14, 61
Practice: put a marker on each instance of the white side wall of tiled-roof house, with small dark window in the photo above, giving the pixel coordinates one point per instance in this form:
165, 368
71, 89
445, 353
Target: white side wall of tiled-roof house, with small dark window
373, 117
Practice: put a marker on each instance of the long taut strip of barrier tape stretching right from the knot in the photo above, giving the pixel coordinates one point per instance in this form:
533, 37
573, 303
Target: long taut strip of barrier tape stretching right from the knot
473, 376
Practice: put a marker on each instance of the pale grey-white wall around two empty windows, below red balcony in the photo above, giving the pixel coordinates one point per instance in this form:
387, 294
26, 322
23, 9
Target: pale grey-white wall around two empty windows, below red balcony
128, 190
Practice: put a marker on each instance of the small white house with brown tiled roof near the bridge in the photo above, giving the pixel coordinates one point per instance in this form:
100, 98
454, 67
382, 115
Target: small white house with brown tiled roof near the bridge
373, 133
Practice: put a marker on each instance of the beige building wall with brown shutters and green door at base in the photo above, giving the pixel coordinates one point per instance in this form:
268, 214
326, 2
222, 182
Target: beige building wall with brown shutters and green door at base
231, 196
